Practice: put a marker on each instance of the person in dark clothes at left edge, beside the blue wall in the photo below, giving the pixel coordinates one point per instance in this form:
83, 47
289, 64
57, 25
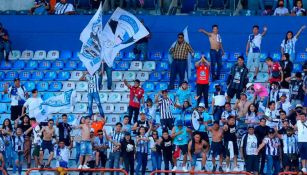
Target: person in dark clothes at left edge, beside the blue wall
5, 43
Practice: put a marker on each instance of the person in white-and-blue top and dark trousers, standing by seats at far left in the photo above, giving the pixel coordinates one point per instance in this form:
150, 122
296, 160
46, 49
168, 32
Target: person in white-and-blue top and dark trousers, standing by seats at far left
18, 95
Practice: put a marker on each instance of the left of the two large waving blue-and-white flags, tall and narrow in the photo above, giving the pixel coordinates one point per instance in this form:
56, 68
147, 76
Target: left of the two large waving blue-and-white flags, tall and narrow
91, 47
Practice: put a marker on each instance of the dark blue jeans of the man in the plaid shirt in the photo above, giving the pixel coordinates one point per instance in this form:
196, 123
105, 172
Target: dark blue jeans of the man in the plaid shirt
178, 67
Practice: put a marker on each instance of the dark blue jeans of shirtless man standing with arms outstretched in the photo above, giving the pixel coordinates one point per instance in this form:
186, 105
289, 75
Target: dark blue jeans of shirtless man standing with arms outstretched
216, 58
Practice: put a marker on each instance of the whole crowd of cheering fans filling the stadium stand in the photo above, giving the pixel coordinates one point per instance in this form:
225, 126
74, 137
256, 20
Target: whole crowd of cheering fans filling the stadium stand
266, 124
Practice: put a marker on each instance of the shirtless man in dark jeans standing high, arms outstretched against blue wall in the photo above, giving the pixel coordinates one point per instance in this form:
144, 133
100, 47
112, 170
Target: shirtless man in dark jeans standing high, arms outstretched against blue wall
216, 50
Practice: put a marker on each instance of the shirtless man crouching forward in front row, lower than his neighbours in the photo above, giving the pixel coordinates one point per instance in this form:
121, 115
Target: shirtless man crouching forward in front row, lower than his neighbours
198, 148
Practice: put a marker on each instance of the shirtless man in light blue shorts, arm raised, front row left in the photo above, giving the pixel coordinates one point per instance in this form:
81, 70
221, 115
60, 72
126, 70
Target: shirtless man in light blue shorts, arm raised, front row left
86, 145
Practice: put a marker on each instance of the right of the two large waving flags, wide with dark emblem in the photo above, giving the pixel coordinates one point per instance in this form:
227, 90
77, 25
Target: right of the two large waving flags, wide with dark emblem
122, 30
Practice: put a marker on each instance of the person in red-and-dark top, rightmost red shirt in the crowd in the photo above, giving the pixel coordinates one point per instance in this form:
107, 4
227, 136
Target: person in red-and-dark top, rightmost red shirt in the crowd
275, 71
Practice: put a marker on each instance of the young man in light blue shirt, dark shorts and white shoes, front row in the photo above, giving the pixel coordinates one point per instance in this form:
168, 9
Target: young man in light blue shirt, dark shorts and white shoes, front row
180, 134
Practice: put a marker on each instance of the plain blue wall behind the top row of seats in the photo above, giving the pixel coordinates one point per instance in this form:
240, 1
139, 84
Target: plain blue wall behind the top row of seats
62, 32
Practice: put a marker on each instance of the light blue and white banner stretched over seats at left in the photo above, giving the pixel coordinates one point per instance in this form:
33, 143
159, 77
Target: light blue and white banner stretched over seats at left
56, 104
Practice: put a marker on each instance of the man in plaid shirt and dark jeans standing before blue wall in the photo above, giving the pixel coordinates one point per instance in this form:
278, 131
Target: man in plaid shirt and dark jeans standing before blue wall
179, 64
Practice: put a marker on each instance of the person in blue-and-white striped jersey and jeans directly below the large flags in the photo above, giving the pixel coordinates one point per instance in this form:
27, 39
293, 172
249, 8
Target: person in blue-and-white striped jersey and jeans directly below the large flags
93, 91
